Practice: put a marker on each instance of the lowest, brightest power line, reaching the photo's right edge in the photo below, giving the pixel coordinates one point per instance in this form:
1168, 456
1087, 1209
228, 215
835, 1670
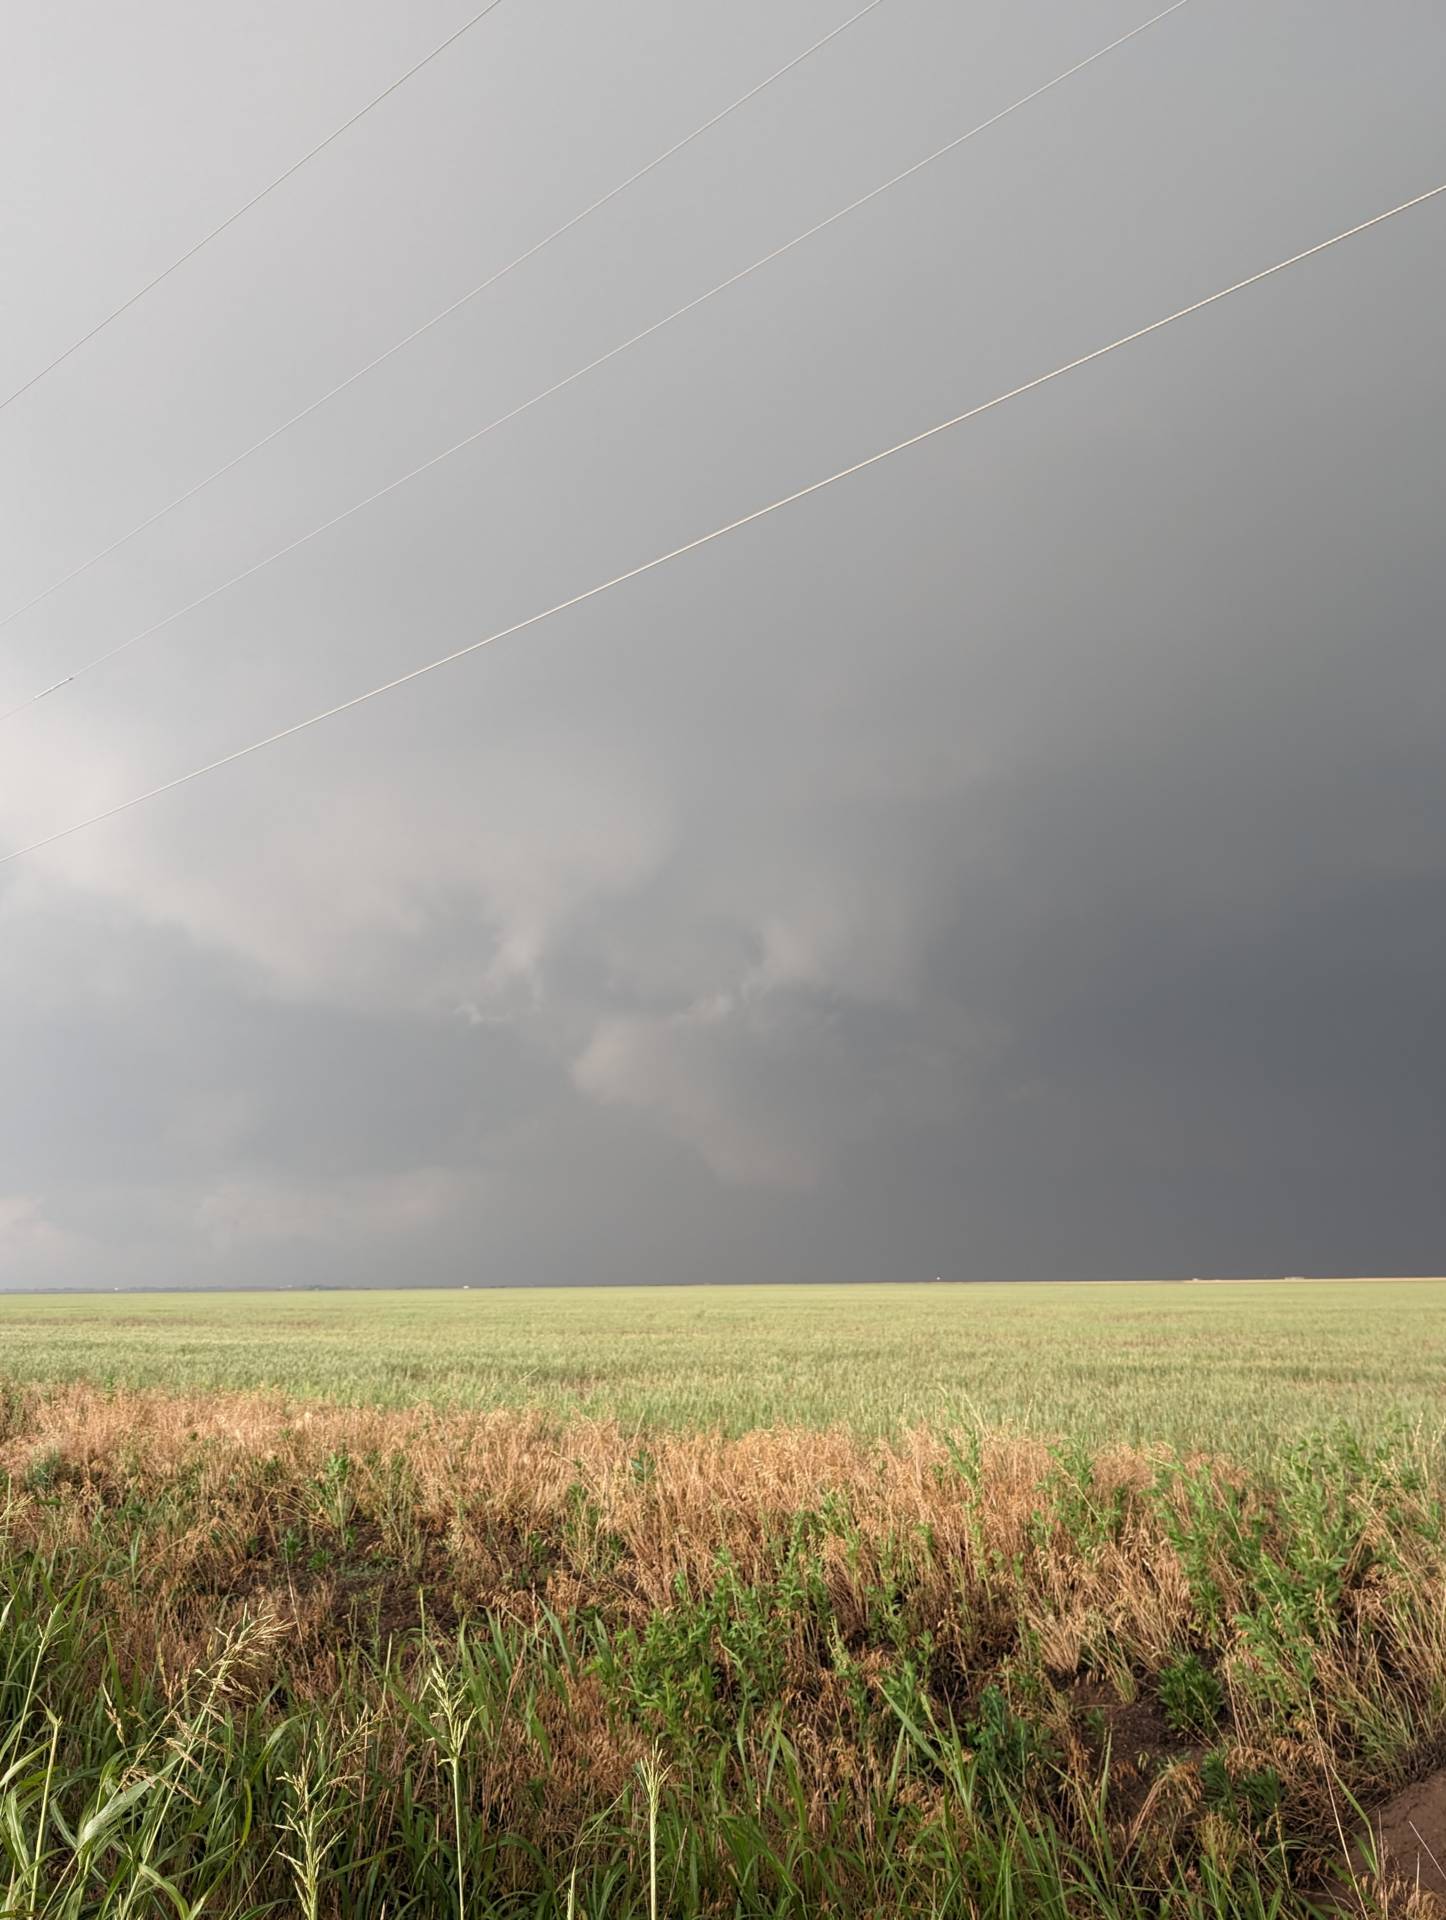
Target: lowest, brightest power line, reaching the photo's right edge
721, 533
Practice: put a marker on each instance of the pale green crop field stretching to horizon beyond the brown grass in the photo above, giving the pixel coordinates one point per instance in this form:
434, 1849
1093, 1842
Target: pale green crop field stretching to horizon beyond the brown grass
1236, 1366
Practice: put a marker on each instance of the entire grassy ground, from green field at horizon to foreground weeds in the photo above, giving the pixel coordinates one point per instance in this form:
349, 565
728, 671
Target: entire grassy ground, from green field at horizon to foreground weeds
1101, 1604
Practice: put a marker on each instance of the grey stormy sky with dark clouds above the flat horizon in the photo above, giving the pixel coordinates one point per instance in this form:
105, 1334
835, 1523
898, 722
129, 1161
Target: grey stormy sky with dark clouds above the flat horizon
1021, 861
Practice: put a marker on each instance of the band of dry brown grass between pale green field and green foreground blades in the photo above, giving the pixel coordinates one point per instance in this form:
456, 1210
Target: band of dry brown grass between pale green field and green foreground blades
936, 1572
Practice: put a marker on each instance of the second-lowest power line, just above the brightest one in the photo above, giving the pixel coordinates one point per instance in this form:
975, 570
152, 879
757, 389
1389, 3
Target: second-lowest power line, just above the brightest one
577, 375
